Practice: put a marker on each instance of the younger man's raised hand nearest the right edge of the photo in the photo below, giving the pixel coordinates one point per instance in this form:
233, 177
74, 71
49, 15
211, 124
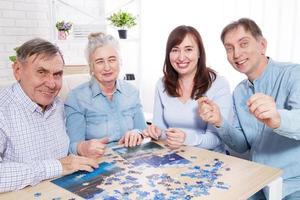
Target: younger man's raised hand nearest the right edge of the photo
263, 107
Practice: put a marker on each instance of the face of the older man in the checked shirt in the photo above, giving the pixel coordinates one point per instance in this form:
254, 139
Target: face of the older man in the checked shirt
40, 77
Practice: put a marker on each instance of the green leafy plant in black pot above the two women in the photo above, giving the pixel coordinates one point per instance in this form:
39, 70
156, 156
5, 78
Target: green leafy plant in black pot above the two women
122, 20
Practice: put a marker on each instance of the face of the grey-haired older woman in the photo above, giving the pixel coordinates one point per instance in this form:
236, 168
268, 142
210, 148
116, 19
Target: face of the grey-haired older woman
105, 64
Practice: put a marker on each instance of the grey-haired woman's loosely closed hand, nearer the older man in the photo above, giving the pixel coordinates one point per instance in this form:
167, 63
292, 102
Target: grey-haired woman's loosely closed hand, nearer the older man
94, 148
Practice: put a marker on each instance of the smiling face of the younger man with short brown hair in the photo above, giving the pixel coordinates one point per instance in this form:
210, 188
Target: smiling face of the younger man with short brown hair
245, 53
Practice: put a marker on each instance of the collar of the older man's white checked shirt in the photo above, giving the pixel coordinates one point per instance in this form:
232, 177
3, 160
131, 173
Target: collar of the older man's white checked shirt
28, 103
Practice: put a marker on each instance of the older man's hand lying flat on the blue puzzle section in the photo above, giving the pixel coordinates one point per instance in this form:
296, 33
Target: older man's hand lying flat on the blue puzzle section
73, 163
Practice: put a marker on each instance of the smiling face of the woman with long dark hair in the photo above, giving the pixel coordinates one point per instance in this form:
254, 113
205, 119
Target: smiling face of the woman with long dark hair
184, 57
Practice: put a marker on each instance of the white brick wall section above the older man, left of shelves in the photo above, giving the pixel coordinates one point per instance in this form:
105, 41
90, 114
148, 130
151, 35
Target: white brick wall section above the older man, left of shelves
20, 20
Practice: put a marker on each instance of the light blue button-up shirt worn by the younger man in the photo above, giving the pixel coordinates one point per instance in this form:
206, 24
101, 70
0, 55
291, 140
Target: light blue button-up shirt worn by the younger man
279, 147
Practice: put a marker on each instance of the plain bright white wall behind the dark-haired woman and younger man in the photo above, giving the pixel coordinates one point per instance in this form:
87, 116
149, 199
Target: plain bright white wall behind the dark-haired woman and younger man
278, 19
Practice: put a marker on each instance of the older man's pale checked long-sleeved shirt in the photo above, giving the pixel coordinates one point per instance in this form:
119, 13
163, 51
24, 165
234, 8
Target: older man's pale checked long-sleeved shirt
31, 141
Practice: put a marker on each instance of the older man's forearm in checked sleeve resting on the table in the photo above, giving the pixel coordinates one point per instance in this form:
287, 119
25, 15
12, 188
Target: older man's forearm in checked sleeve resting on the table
14, 176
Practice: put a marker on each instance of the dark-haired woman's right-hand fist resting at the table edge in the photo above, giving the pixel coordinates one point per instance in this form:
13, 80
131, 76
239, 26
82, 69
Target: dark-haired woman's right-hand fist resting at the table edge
175, 138
